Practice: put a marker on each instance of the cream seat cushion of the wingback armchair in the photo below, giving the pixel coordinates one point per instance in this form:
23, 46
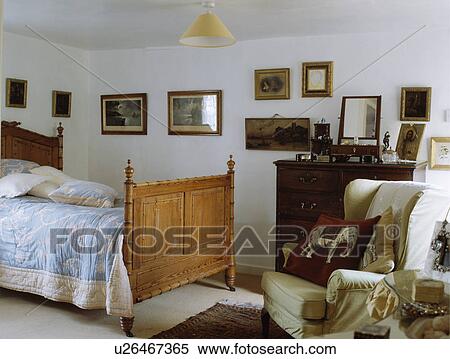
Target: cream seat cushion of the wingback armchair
300, 298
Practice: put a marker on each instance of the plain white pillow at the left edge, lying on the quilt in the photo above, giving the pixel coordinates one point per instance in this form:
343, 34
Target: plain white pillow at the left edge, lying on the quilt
18, 184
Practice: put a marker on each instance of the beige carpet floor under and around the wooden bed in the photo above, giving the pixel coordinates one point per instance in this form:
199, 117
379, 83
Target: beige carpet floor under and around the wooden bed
27, 316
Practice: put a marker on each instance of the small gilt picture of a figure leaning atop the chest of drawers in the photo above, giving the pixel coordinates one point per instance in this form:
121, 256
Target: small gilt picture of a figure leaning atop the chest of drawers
409, 140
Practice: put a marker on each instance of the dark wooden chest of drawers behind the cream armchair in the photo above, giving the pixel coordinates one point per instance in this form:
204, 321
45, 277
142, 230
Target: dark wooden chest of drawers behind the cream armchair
307, 189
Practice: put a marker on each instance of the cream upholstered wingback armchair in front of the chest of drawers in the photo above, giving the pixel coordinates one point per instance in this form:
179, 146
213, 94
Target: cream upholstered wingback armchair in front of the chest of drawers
305, 309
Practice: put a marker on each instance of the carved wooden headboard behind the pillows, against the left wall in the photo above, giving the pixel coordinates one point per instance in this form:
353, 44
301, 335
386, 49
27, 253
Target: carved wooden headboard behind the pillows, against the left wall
18, 143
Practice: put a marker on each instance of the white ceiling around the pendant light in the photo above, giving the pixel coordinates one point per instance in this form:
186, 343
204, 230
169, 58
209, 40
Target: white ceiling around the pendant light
120, 24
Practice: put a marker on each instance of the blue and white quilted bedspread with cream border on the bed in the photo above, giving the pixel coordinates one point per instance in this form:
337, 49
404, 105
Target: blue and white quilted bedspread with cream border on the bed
65, 253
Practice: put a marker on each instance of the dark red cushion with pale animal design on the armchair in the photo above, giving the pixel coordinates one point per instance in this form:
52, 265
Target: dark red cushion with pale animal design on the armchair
333, 244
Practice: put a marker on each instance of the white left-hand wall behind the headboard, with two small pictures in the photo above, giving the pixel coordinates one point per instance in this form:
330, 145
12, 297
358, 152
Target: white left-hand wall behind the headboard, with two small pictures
47, 69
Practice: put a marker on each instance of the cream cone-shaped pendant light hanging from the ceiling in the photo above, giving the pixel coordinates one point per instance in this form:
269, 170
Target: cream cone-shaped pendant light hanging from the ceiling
207, 30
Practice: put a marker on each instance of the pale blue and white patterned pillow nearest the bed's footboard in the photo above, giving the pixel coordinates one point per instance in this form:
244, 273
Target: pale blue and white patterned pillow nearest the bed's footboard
84, 193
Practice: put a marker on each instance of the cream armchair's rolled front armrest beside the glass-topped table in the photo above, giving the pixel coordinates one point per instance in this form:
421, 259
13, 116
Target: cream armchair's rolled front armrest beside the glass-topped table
347, 292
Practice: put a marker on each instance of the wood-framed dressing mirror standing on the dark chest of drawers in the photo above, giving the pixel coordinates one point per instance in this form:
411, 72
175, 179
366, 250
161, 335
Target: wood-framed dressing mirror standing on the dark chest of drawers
359, 128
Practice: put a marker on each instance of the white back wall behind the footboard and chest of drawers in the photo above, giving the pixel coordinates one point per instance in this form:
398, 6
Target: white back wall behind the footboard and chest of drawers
421, 61
